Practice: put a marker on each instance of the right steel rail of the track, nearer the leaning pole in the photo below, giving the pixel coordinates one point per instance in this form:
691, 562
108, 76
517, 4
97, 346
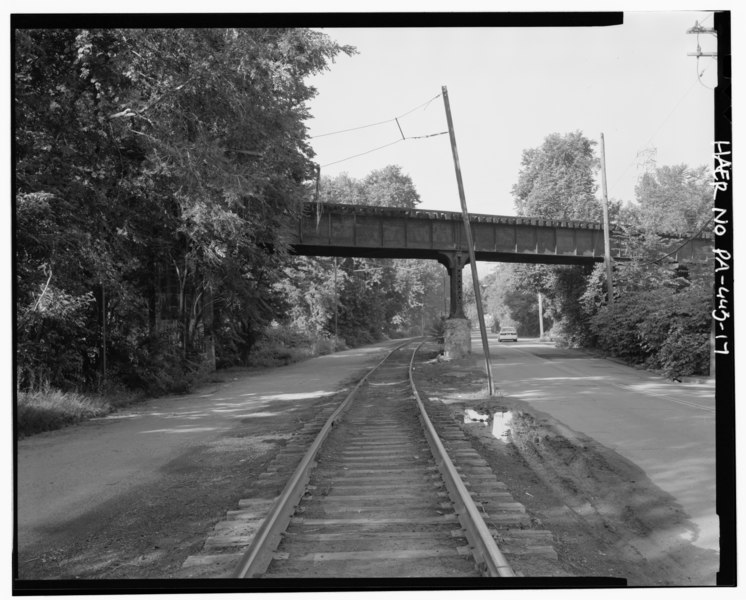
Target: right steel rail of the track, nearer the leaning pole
486, 552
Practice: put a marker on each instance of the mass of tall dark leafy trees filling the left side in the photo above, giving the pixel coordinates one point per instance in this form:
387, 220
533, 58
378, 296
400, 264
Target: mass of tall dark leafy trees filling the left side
153, 171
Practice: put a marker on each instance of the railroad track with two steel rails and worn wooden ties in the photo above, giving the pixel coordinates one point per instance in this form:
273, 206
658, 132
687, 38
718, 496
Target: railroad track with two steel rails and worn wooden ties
375, 495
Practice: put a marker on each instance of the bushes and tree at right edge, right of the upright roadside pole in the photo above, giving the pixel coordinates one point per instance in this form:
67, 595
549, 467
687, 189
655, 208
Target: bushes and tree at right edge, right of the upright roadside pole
661, 314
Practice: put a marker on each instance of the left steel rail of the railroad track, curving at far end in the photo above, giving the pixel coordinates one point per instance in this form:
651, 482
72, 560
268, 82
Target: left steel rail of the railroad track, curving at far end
259, 554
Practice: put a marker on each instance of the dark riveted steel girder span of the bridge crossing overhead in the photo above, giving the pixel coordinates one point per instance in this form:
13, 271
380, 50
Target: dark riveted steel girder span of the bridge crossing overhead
378, 232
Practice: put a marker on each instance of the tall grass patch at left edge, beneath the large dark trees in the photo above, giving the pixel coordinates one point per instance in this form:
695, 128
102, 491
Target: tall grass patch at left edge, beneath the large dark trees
49, 409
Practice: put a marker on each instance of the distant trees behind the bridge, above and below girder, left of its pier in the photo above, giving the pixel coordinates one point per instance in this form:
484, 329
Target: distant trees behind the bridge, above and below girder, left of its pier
355, 300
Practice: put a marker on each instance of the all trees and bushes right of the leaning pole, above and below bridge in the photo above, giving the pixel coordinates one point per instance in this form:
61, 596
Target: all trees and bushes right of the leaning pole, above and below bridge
660, 316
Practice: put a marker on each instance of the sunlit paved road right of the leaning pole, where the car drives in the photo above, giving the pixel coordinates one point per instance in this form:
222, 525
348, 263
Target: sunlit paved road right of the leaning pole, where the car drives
665, 428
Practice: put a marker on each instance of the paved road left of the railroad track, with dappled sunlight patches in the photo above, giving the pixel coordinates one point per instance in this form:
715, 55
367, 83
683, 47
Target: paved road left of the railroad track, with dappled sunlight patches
67, 473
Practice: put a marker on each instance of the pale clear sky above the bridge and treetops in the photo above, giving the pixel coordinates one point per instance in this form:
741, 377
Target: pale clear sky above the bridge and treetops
509, 88
